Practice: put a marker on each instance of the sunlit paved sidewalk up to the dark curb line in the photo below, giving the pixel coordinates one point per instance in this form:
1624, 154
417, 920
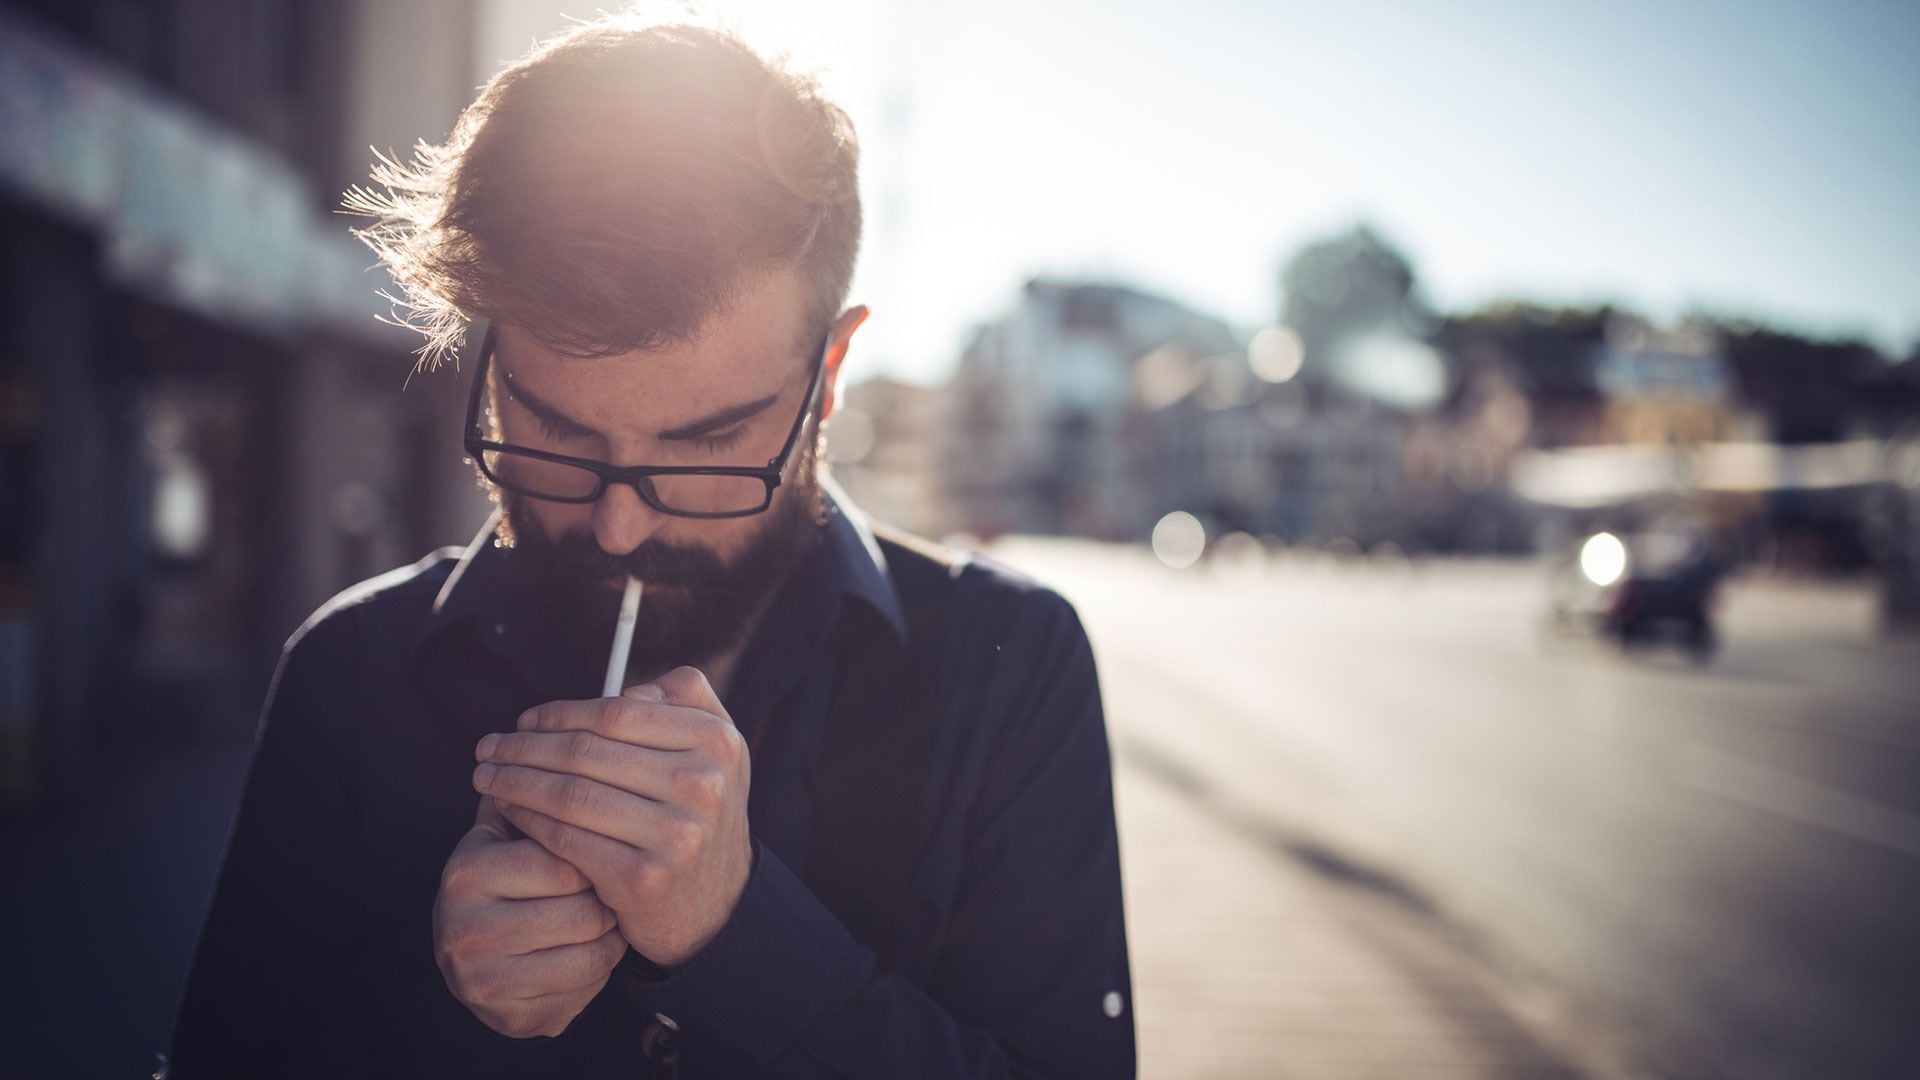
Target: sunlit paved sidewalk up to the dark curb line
1251, 964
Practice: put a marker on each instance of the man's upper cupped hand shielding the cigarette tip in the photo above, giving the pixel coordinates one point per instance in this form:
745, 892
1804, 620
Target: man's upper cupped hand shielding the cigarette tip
646, 795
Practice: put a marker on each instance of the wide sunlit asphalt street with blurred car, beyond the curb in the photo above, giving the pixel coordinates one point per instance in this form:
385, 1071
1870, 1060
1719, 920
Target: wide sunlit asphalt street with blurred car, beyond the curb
1671, 871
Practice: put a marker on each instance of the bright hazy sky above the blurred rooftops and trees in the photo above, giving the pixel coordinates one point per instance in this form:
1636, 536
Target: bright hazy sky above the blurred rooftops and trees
1756, 159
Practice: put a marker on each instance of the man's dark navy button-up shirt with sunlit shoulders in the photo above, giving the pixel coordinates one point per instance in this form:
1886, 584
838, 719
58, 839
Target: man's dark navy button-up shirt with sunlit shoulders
936, 873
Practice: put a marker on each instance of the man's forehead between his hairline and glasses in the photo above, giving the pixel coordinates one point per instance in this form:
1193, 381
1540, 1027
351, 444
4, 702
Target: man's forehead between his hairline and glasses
748, 351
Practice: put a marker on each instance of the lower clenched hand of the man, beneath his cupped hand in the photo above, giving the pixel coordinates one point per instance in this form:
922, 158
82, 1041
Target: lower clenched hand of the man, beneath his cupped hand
519, 935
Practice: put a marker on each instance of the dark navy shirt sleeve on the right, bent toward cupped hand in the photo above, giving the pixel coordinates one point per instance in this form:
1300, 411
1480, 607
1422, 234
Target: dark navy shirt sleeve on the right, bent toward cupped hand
1034, 966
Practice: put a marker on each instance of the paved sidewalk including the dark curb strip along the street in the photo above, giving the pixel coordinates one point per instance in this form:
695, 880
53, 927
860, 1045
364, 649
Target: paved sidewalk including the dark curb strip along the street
1262, 950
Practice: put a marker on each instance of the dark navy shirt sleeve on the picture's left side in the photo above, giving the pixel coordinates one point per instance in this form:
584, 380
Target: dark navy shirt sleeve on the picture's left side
291, 975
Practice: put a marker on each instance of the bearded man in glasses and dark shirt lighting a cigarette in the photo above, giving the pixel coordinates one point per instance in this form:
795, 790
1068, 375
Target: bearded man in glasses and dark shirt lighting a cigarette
852, 808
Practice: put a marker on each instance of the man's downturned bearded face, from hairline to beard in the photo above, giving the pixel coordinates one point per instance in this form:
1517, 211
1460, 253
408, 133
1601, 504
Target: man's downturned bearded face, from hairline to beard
727, 399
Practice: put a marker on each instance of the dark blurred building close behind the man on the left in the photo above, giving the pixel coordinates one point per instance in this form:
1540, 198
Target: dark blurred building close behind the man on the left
203, 420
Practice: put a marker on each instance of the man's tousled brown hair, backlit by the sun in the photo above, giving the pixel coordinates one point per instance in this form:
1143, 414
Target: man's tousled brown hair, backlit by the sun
615, 189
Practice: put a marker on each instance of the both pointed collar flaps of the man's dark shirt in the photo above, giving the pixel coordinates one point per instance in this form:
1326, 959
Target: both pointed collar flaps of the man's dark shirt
852, 560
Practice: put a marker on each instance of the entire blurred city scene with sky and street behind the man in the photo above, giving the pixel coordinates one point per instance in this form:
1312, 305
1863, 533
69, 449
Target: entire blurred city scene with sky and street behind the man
1481, 439
